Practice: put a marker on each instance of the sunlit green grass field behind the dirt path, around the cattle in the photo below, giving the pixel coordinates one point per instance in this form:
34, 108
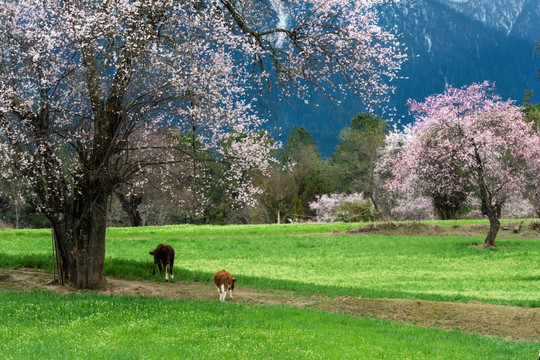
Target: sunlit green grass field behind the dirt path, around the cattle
281, 257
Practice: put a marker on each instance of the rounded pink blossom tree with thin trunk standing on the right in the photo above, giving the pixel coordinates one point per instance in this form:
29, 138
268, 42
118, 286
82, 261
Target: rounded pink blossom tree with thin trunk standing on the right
467, 140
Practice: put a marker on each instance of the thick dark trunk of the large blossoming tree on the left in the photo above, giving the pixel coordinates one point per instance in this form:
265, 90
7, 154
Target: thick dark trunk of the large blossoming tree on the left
81, 244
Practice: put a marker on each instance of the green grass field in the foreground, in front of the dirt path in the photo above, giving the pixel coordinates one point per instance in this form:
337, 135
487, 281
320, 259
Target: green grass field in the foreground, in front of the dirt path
40, 325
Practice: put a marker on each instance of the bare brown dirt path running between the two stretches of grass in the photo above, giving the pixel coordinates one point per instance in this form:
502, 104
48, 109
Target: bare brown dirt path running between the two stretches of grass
510, 322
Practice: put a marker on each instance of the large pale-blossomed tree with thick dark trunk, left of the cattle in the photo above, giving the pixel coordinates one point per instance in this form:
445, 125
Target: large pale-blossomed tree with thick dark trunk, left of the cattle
79, 78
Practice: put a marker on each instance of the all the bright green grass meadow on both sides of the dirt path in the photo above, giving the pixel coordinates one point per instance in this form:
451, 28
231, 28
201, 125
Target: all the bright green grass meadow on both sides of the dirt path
304, 258
